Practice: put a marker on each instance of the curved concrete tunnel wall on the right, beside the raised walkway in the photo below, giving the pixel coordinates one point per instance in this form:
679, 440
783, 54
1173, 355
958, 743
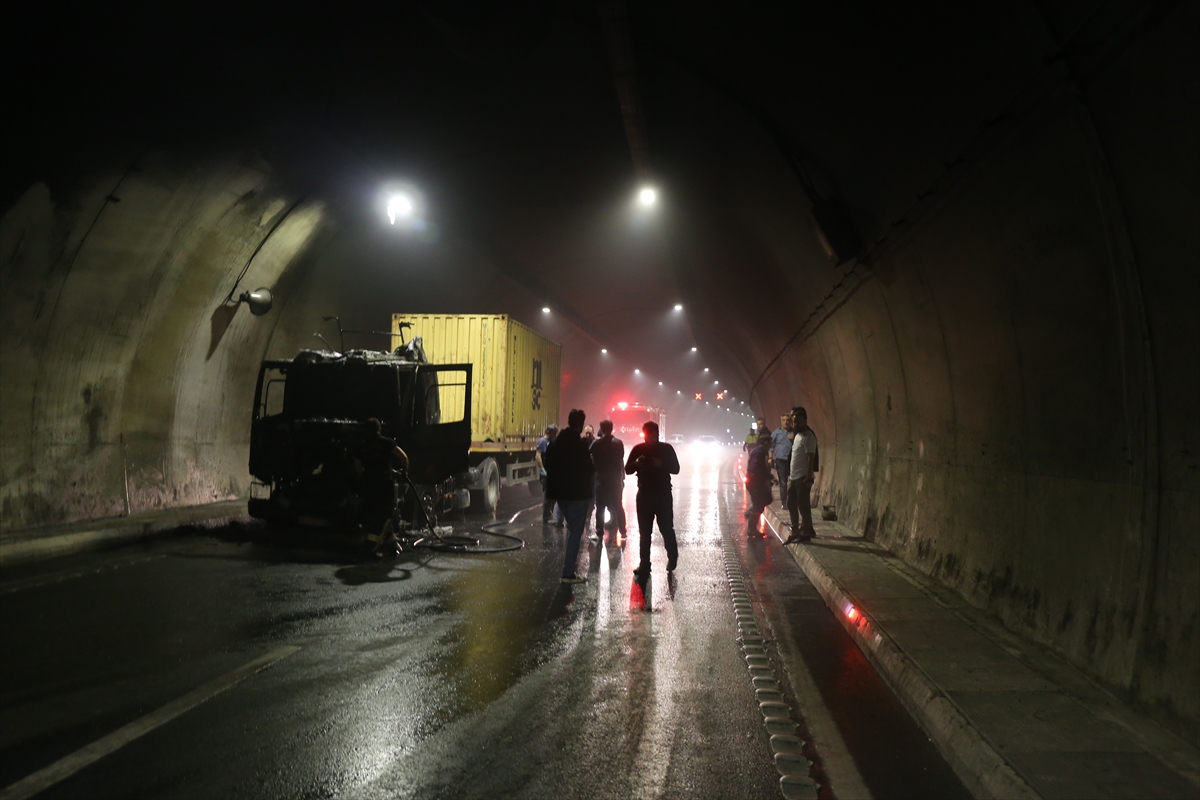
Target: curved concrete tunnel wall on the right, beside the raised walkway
1009, 396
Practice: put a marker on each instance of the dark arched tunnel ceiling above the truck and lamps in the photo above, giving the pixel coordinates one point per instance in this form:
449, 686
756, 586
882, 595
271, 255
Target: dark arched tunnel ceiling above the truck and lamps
509, 124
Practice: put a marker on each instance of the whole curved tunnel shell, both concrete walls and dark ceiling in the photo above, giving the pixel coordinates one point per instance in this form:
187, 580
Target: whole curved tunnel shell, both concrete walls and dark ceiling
1001, 370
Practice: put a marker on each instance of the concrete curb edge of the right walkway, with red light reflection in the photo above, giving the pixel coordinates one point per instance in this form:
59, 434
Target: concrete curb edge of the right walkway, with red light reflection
985, 772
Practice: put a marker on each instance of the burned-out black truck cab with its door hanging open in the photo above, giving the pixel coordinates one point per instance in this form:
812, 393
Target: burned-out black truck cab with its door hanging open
310, 435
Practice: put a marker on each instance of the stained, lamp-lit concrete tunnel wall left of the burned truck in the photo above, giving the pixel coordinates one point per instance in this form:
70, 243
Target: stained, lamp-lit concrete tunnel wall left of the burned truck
128, 377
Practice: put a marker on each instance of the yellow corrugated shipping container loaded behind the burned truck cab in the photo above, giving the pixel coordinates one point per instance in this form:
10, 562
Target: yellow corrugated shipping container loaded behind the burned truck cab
515, 382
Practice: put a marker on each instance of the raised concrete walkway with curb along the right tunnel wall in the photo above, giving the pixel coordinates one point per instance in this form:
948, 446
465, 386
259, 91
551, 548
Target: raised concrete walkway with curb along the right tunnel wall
1013, 719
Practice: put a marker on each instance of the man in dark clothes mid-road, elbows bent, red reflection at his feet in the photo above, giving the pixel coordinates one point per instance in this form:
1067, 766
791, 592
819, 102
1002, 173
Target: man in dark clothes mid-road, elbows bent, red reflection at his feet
655, 462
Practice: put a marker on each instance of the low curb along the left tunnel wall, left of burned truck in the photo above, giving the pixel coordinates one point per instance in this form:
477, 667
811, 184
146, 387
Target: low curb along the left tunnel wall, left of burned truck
41, 544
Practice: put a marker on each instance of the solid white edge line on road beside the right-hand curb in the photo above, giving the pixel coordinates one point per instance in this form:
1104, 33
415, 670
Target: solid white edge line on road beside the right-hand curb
845, 780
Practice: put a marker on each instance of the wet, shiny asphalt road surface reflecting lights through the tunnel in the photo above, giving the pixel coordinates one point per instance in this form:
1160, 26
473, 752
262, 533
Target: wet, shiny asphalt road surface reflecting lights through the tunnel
439, 676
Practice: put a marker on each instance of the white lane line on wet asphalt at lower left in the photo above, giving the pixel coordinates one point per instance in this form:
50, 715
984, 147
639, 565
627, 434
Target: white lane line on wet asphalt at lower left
69, 766
